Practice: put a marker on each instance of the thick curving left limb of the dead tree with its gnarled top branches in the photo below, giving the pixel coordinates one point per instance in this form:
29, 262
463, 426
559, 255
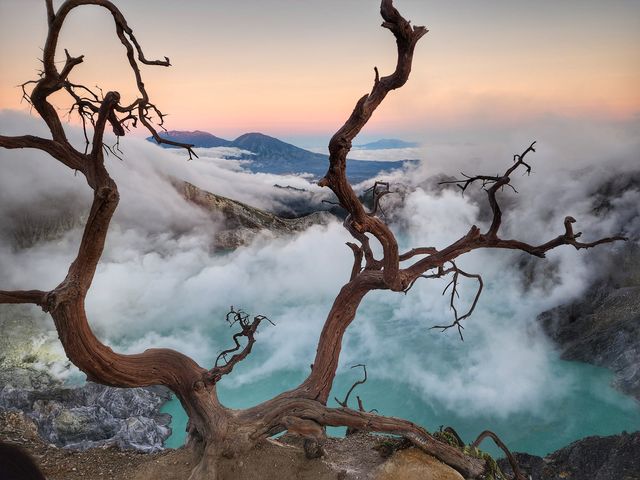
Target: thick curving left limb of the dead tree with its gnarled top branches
66, 301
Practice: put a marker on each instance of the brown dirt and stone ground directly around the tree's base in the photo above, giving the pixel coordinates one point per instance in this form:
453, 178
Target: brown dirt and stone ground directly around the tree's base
358, 457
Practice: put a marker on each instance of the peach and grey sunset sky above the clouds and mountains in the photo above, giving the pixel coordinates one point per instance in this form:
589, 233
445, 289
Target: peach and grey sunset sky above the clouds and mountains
296, 68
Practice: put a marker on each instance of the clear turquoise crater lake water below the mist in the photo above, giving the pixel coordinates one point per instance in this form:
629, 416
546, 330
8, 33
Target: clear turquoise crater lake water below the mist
591, 407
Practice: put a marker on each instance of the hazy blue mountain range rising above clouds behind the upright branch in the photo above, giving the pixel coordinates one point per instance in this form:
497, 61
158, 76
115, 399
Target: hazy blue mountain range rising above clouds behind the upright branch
270, 155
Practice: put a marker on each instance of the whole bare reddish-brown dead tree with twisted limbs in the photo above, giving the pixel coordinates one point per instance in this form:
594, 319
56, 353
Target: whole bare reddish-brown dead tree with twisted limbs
216, 430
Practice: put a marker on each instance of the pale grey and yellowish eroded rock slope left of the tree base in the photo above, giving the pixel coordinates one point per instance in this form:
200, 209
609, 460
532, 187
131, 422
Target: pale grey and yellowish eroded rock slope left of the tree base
86, 416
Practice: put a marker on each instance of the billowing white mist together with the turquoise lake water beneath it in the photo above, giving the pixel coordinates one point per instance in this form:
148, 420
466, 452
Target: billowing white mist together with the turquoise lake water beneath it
161, 284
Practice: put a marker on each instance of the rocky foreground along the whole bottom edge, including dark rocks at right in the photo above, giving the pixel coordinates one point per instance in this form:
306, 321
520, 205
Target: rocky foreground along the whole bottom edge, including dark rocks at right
358, 457
